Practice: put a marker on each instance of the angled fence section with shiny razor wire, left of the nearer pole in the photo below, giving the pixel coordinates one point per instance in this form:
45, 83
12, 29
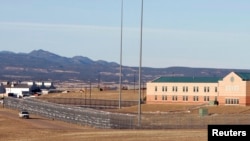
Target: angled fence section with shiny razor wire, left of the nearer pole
72, 114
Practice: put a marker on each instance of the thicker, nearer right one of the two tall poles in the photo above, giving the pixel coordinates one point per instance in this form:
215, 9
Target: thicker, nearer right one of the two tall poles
140, 64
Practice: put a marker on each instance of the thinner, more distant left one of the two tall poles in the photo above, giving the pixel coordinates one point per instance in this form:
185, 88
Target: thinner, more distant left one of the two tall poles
120, 88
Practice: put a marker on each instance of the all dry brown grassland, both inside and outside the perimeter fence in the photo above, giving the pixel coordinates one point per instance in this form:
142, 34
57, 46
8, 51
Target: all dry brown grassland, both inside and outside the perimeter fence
37, 128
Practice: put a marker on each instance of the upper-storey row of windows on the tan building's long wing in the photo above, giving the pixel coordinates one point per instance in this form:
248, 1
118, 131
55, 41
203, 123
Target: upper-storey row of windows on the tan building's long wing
185, 89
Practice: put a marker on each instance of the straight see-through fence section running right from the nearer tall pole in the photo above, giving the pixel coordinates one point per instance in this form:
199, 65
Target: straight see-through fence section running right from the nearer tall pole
191, 121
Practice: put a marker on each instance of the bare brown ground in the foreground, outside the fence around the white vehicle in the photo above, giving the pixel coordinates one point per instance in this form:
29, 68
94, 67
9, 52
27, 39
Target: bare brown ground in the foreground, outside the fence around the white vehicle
37, 128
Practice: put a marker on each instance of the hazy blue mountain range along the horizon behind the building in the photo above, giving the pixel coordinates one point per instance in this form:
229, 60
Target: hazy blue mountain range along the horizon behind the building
40, 65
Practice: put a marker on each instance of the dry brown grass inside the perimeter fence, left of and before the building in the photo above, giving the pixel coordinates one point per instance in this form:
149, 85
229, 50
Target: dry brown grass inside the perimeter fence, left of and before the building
148, 108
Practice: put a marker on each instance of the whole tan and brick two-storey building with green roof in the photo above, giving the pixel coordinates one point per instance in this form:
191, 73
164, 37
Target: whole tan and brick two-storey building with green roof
233, 89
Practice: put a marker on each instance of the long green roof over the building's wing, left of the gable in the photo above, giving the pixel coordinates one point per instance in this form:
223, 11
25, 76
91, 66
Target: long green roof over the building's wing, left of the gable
188, 79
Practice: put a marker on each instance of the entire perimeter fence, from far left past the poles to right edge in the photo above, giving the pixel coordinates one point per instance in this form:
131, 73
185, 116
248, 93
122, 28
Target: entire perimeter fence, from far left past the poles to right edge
104, 119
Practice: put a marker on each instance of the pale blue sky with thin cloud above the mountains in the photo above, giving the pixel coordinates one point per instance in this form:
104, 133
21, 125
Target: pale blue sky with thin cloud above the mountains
187, 33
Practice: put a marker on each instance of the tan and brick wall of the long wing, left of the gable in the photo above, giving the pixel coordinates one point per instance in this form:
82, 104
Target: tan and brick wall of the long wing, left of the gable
188, 93
